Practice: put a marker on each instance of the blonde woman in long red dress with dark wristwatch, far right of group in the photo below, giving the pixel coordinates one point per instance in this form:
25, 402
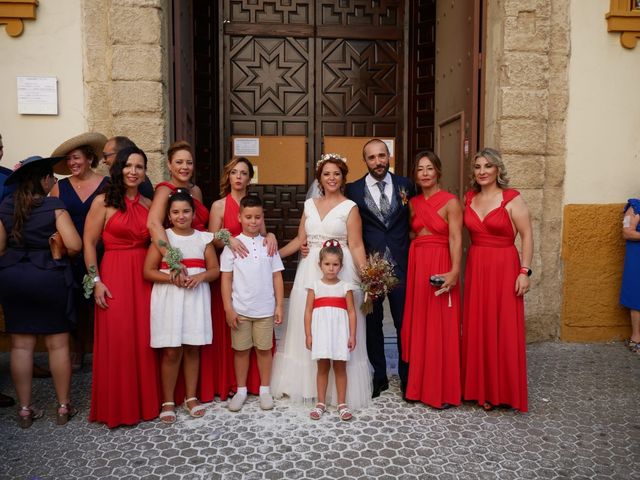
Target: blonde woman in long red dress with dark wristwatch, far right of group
494, 365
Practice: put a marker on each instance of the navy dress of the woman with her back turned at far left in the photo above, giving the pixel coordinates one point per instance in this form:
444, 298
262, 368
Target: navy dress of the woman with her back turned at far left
36, 292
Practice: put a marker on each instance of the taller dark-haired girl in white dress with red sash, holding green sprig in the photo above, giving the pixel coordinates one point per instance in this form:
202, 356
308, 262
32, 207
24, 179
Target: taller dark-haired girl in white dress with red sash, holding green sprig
181, 314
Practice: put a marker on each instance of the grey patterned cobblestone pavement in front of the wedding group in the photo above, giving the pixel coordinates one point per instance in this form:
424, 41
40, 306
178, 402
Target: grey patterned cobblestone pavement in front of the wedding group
584, 422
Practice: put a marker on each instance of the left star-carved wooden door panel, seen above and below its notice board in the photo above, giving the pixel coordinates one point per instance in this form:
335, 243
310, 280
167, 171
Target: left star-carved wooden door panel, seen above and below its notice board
270, 85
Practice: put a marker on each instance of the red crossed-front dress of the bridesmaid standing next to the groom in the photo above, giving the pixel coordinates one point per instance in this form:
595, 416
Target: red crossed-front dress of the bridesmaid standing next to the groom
431, 325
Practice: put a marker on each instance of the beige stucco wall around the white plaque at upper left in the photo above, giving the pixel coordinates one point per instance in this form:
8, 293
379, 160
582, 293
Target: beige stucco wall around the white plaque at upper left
49, 46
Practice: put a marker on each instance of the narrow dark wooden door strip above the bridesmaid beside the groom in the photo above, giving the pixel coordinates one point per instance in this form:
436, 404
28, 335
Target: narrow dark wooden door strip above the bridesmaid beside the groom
421, 65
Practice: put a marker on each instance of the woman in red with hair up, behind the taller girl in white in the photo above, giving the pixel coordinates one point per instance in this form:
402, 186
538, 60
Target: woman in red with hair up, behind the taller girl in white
181, 166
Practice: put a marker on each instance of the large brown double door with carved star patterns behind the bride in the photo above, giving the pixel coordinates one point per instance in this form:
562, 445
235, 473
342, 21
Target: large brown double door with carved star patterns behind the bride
311, 68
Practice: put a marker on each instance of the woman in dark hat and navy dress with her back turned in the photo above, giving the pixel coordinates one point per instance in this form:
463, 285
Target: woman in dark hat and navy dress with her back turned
36, 290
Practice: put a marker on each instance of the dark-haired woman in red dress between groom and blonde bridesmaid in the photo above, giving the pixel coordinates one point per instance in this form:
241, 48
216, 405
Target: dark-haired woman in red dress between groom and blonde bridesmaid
431, 325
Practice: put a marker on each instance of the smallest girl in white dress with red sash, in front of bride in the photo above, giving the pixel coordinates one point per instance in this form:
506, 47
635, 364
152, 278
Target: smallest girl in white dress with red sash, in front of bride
330, 327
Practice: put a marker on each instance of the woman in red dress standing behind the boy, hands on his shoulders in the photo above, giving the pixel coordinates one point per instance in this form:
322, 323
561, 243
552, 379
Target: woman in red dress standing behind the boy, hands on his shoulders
218, 357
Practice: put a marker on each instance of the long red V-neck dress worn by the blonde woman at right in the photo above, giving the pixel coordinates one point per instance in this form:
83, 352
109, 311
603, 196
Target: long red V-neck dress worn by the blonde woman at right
494, 364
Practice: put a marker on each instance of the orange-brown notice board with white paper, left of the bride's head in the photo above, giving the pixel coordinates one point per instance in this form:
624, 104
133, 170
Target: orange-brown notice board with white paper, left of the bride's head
277, 160
